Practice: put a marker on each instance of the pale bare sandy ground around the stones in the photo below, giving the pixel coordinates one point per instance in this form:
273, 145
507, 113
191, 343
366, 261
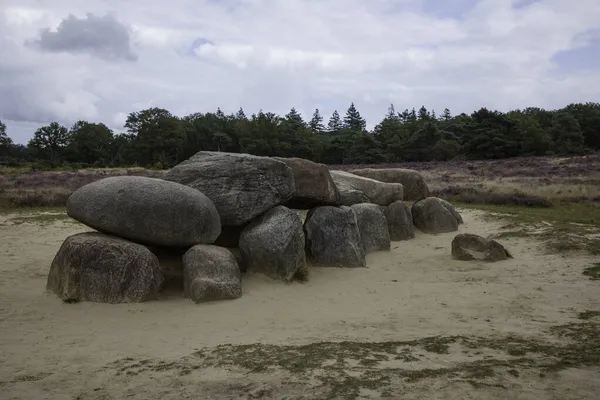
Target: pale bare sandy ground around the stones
51, 350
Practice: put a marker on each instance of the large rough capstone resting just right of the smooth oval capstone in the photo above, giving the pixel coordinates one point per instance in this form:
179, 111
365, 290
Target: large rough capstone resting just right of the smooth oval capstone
241, 186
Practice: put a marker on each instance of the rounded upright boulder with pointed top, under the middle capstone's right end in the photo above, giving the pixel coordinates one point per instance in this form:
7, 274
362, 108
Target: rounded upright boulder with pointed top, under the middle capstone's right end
273, 244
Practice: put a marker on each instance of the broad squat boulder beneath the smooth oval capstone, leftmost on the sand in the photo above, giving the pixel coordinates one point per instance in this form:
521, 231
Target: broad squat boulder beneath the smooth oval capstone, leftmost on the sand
95, 267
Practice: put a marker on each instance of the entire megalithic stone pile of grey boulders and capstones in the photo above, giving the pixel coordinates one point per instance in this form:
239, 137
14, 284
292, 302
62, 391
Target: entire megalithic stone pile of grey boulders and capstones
219, 215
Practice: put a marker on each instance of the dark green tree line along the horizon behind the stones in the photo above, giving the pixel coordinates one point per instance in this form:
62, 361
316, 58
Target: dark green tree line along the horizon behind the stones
155, 138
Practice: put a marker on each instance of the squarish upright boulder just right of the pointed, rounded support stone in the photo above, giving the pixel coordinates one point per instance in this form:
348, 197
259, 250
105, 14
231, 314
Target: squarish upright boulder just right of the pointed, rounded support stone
333, 237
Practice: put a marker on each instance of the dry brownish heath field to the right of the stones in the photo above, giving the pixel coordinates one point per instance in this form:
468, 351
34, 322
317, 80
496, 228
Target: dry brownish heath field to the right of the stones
539, 179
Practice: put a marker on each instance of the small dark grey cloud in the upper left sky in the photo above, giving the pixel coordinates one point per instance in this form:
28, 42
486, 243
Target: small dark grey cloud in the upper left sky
101, 36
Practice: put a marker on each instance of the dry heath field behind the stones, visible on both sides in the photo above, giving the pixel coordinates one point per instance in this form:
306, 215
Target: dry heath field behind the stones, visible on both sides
531, 182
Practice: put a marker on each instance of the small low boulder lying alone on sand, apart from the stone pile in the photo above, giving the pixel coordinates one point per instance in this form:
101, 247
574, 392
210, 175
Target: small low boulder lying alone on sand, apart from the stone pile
467, 247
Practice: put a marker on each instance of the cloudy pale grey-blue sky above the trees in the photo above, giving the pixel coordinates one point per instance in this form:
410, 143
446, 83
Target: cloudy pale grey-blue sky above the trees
98, 60
